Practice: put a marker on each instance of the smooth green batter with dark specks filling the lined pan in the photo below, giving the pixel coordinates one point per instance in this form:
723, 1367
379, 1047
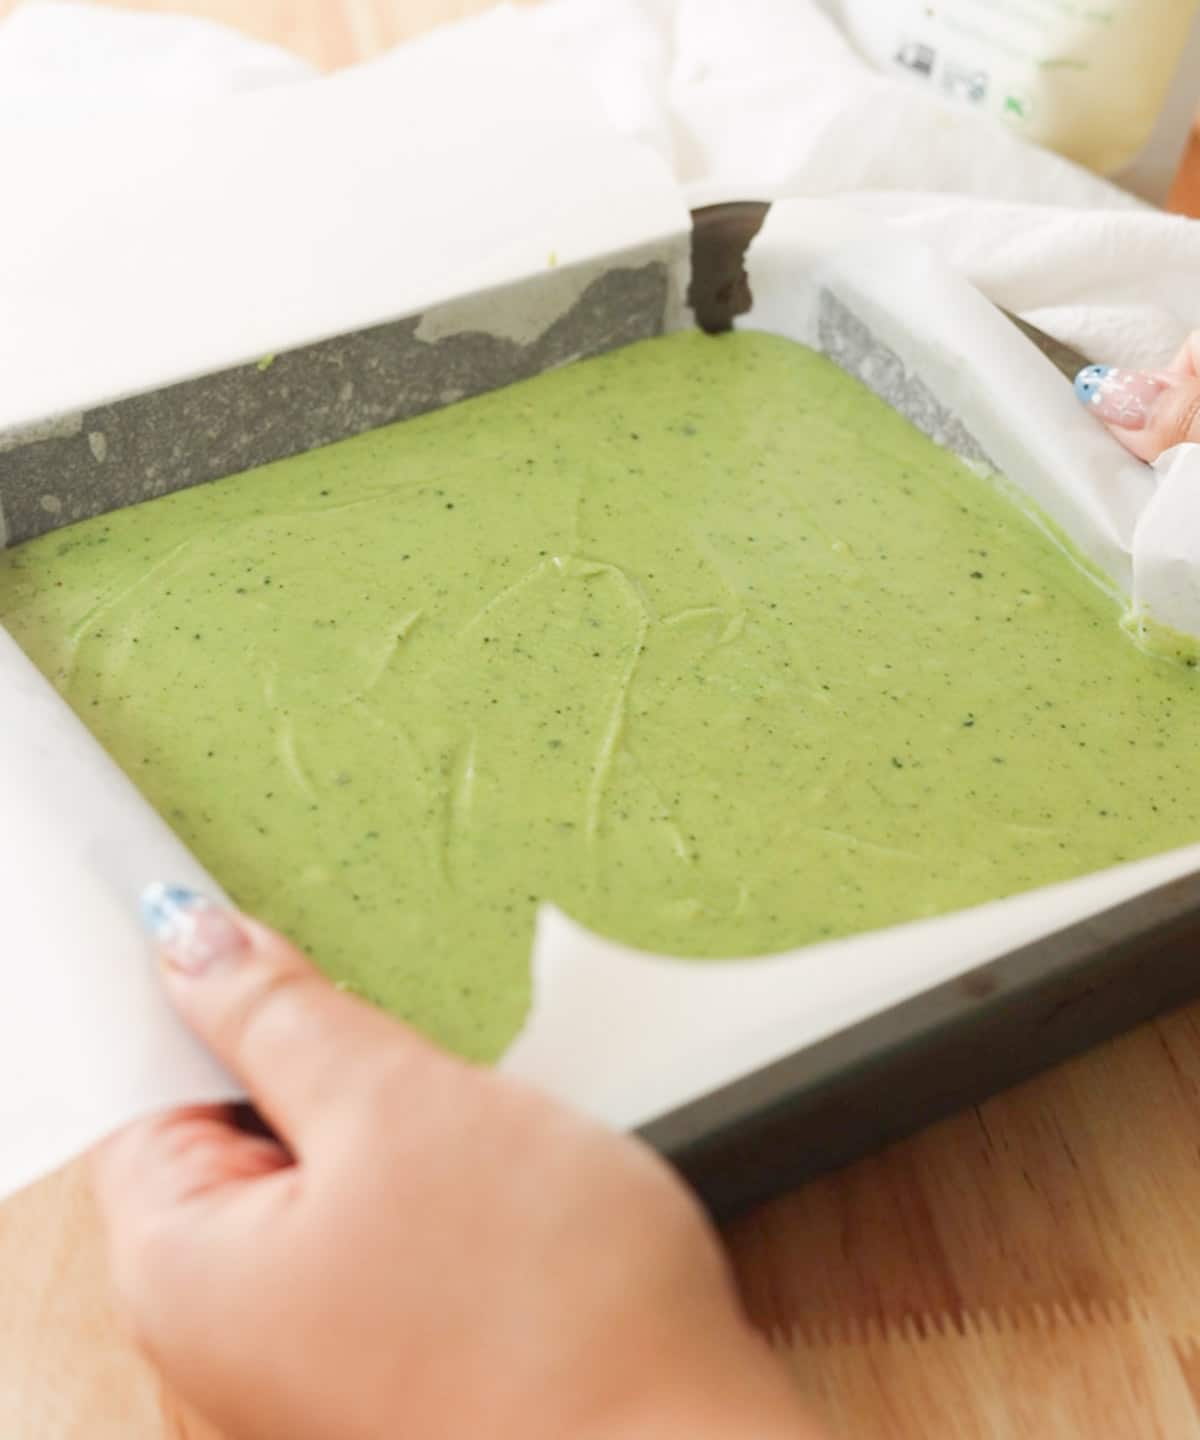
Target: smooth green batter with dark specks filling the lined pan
698, 640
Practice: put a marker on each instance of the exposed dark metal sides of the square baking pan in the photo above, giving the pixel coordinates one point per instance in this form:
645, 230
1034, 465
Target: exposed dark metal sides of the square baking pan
829, 1102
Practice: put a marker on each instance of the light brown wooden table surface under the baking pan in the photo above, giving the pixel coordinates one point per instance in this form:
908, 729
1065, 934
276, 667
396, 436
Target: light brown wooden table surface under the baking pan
1028, 1269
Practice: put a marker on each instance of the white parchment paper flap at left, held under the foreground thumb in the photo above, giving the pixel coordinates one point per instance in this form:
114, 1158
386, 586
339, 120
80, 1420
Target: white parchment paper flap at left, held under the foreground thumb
86, 1039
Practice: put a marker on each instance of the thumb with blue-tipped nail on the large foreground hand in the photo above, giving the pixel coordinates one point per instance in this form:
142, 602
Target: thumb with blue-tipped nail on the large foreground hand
297, 1043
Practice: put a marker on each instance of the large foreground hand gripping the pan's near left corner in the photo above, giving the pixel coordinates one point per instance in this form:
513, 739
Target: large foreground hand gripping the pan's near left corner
430, 1251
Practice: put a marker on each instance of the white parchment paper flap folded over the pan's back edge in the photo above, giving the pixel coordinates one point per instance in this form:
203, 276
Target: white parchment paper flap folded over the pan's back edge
139, 254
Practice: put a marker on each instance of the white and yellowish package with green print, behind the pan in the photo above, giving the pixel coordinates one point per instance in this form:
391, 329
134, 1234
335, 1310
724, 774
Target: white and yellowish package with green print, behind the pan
1111, 86
